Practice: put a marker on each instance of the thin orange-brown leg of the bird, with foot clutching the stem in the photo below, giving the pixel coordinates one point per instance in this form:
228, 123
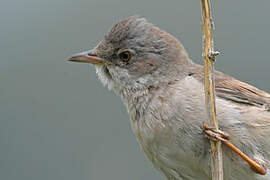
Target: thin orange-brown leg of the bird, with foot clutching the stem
256, 165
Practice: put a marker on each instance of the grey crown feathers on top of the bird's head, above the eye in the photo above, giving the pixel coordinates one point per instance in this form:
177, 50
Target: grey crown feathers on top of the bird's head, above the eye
138, 34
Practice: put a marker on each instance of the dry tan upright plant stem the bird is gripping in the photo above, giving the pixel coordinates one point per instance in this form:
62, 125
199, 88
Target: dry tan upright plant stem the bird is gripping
209, 58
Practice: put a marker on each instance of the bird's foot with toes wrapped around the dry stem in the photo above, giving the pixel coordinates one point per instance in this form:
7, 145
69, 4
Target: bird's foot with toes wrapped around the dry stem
213, 134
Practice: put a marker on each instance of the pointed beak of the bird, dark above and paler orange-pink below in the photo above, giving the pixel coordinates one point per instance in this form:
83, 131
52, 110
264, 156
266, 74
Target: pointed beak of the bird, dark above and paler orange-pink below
87, 57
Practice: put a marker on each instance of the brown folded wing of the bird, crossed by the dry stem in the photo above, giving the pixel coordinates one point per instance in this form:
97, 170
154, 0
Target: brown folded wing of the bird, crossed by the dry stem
234, 90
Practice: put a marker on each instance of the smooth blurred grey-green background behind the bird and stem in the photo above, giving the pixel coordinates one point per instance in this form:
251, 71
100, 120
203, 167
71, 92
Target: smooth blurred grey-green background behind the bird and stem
57, 121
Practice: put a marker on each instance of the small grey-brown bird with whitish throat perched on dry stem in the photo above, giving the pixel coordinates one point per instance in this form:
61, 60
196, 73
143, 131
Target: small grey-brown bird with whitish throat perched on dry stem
163, 91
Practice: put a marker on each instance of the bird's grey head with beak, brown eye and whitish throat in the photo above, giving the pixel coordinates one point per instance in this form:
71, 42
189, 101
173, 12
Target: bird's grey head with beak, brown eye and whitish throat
136, 54
